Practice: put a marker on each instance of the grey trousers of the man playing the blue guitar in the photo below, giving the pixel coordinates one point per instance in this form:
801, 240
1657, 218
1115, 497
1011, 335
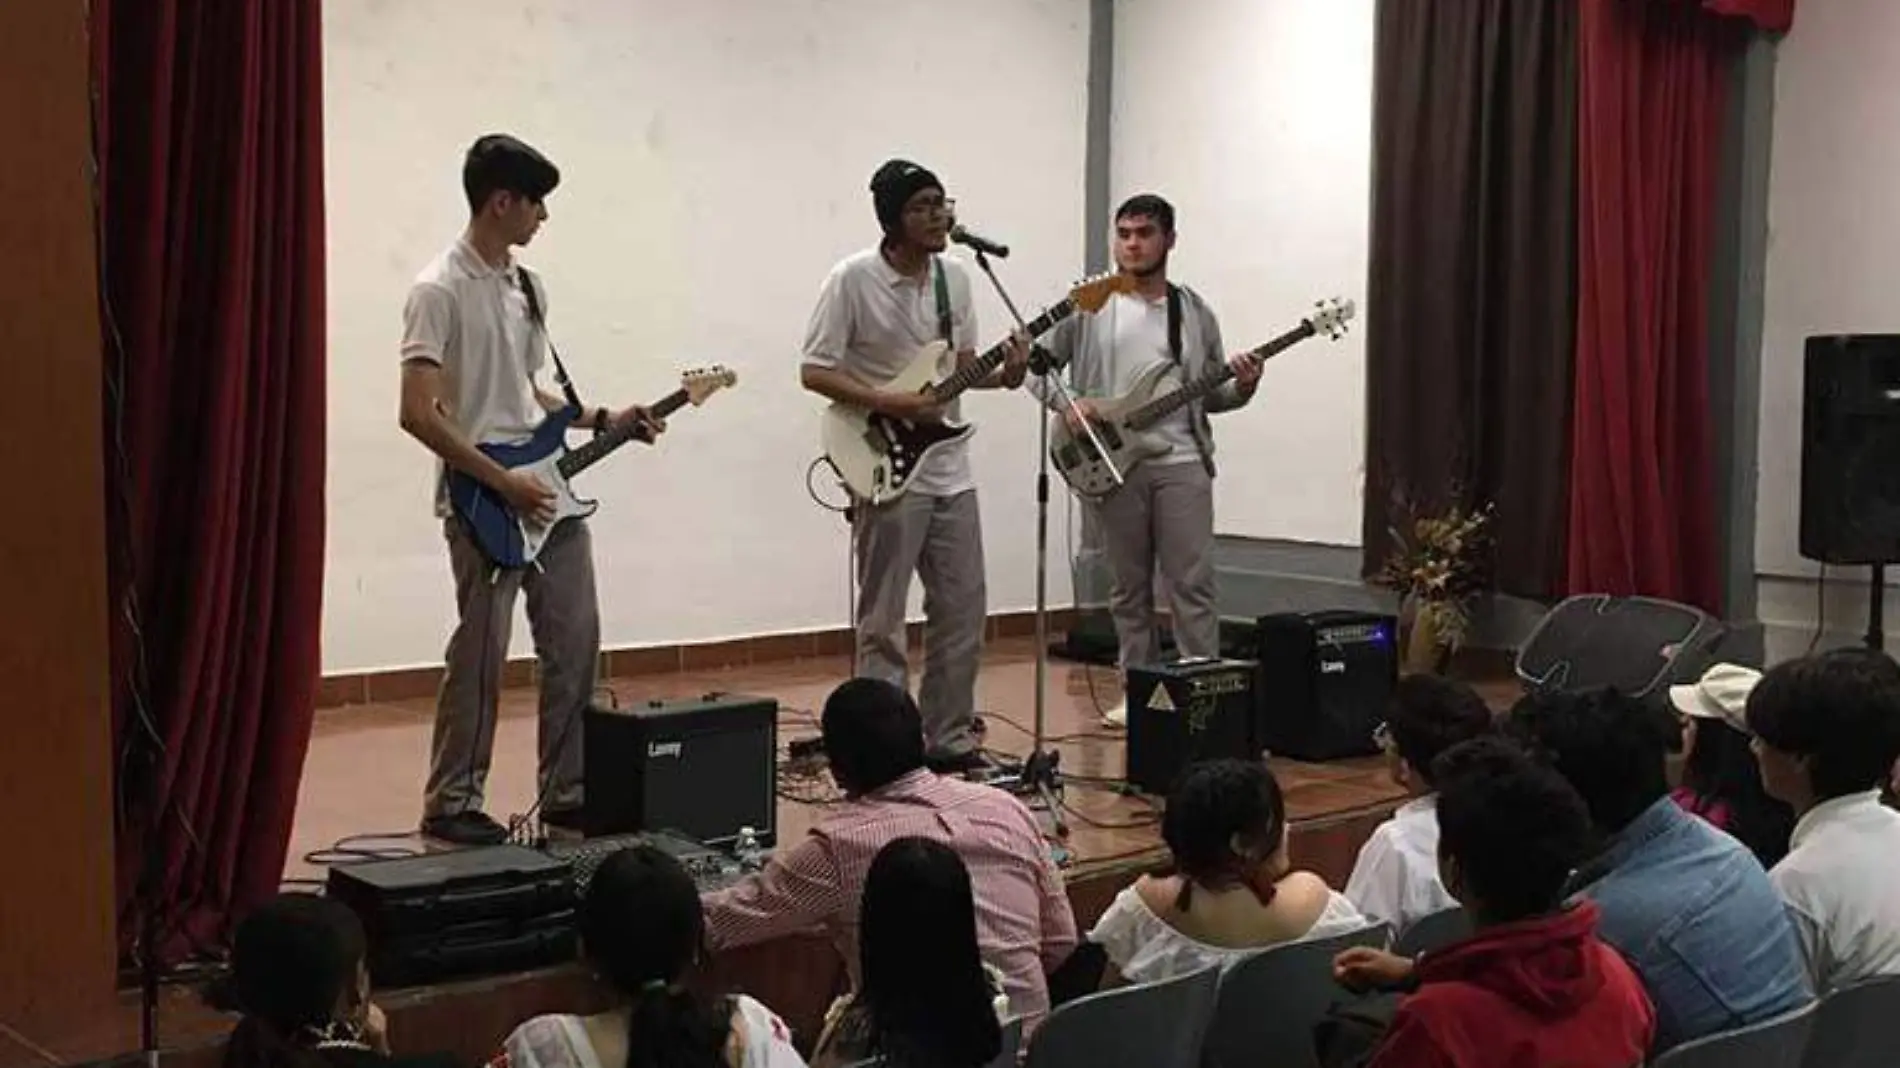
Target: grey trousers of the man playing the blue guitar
565, 622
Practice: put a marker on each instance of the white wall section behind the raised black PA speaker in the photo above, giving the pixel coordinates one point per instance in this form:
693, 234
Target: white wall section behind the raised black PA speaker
1833, 267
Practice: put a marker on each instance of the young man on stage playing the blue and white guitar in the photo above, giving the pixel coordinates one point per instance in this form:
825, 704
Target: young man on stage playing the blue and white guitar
474, 341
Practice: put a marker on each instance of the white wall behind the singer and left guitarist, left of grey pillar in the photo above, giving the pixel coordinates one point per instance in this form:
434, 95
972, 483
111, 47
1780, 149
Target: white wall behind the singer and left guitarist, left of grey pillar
715, 161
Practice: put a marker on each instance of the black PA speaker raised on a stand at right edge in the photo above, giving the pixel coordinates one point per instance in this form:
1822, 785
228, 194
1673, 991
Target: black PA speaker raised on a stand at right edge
1852, 449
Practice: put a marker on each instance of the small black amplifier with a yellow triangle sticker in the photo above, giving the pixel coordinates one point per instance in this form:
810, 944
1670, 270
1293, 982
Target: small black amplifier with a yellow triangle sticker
1188, 712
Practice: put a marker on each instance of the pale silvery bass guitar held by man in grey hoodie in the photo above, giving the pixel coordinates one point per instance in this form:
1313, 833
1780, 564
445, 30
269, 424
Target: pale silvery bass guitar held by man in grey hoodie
1126, 425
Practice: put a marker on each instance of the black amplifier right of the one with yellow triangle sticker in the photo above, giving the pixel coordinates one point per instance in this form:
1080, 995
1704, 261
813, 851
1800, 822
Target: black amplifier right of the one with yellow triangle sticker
1325, 683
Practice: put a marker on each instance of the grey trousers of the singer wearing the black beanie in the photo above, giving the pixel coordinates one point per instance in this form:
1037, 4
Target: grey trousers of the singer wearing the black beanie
940, 539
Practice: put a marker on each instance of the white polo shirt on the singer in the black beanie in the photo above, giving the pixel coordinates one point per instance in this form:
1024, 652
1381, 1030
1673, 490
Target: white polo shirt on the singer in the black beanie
871, 322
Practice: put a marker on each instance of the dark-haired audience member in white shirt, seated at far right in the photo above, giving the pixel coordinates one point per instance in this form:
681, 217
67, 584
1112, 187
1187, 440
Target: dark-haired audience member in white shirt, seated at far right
1827, 733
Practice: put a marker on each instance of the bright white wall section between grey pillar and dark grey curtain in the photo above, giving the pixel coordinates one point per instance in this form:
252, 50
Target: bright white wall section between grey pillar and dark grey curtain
1255, 121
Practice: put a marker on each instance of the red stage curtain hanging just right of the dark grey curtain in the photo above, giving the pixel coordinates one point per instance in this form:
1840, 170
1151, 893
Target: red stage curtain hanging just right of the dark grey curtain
1652, 88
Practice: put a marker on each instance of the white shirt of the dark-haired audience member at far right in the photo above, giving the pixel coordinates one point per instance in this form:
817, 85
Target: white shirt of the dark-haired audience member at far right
1842, 885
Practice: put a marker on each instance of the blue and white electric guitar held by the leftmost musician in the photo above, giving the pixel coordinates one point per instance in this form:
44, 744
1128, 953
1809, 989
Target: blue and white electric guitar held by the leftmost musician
512, 541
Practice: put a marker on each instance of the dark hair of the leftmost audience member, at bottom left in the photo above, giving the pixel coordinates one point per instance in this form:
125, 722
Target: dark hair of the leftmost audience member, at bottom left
292, 964
